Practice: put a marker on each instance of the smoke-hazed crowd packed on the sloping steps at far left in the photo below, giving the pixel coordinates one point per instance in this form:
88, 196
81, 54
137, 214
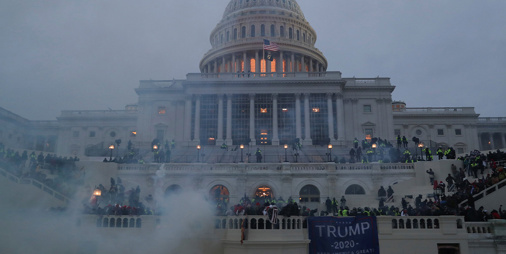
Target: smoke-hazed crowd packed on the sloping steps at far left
59, 173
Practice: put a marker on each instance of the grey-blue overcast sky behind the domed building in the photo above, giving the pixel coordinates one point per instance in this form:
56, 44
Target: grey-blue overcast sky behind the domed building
90, 55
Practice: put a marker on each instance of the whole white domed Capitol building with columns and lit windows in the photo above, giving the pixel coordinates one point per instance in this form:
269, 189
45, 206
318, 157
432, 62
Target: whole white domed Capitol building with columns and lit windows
245, 102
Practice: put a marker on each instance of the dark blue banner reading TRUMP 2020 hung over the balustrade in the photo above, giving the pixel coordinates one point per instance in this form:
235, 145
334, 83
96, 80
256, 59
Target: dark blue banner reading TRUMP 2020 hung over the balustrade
343, 235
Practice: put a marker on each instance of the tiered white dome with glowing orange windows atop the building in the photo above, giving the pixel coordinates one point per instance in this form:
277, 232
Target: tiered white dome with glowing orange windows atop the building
238, 40
